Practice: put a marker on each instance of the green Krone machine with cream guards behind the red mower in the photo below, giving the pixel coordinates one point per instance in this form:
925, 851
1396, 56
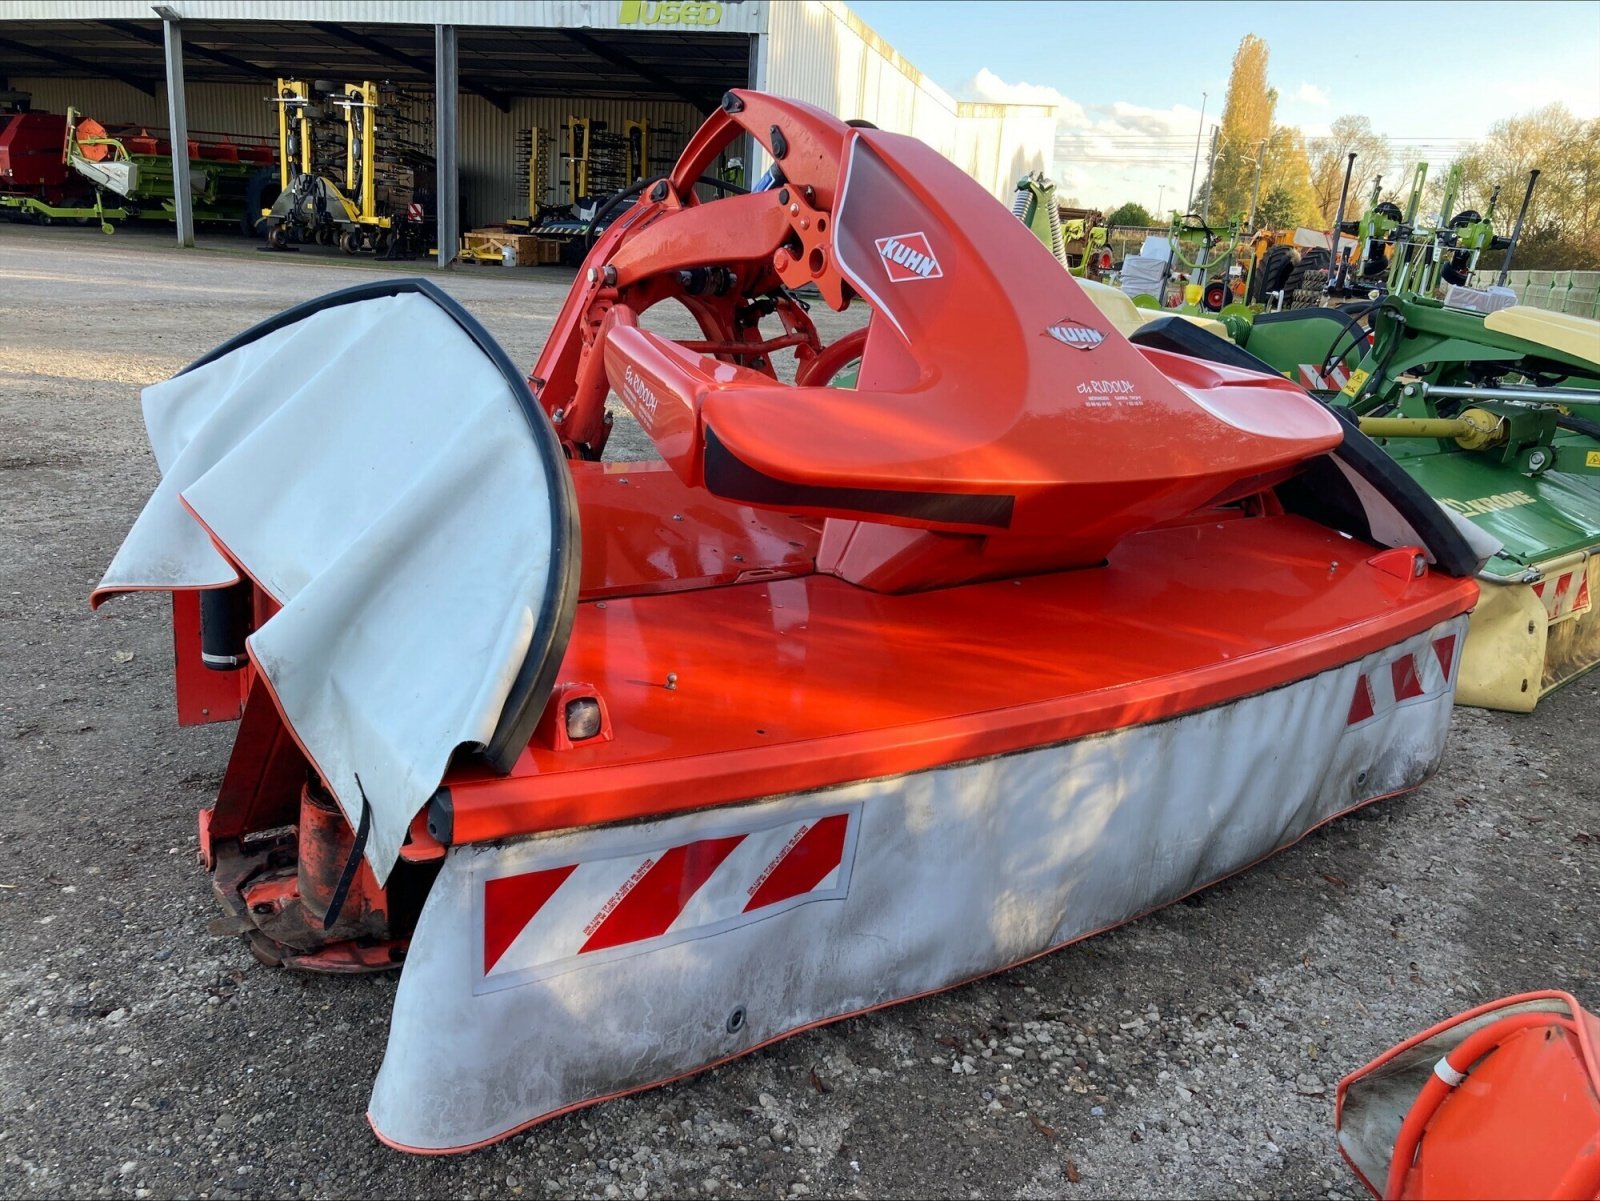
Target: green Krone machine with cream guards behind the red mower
1495, 412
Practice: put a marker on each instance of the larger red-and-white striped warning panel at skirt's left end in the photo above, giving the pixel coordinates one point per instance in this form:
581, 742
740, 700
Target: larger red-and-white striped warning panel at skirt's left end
543, 919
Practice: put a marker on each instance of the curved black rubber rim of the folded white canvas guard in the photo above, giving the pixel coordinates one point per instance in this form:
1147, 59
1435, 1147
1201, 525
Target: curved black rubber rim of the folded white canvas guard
537, 676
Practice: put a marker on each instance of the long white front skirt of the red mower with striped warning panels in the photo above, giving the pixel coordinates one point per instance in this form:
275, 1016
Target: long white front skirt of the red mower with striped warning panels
567, 968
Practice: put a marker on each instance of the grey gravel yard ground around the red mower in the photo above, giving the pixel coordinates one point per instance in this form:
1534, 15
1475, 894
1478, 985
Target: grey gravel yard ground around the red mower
1190, 1055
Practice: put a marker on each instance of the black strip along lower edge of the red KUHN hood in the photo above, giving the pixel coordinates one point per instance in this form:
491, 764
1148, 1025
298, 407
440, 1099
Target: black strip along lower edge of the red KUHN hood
730, 477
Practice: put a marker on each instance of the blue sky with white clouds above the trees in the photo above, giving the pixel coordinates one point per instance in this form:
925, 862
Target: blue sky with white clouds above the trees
1130, 76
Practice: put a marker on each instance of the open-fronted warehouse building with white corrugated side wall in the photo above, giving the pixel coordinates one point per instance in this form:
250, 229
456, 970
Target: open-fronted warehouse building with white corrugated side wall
500, 86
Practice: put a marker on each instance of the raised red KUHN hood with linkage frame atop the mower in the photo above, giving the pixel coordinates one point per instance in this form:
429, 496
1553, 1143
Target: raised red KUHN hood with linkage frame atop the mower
994, 401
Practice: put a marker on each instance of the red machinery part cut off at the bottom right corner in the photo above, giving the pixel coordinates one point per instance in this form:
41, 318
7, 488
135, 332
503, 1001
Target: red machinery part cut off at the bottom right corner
1498, 1103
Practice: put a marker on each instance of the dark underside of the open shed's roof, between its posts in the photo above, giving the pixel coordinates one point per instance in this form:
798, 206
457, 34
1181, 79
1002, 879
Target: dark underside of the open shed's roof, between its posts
497, 63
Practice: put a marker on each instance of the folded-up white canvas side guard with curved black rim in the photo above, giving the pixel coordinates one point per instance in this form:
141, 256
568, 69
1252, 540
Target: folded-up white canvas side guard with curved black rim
377, 466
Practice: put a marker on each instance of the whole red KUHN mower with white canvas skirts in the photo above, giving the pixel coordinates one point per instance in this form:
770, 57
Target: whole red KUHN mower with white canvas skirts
991, 631
